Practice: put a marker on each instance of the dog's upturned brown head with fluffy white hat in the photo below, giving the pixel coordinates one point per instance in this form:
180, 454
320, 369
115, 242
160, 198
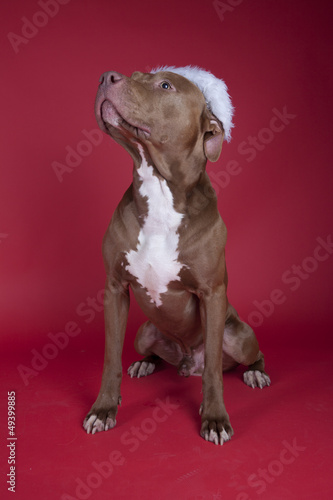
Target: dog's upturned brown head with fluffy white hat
174, 113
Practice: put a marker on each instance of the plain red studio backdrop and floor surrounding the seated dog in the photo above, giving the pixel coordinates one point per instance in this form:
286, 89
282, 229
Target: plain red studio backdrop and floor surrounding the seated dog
273, 55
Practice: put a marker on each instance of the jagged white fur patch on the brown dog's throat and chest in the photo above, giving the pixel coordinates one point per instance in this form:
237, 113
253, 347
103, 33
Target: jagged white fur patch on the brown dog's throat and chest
154, 262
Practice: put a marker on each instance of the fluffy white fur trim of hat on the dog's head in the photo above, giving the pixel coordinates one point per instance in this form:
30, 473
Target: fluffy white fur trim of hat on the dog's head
214, 90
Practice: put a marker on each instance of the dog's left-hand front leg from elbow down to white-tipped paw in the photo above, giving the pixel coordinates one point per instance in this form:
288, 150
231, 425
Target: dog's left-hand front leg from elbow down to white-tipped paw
102, 415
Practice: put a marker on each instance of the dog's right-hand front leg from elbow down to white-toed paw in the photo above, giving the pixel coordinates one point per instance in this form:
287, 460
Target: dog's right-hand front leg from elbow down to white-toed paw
215, 420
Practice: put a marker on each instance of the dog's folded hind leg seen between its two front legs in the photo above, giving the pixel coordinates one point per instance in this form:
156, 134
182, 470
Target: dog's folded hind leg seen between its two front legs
152, 344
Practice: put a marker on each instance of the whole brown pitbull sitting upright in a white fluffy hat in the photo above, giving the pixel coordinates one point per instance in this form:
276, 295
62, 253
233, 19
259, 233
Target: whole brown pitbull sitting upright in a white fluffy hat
166, 241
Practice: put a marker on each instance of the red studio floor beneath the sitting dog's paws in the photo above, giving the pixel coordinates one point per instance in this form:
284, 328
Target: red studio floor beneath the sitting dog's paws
282, 447
